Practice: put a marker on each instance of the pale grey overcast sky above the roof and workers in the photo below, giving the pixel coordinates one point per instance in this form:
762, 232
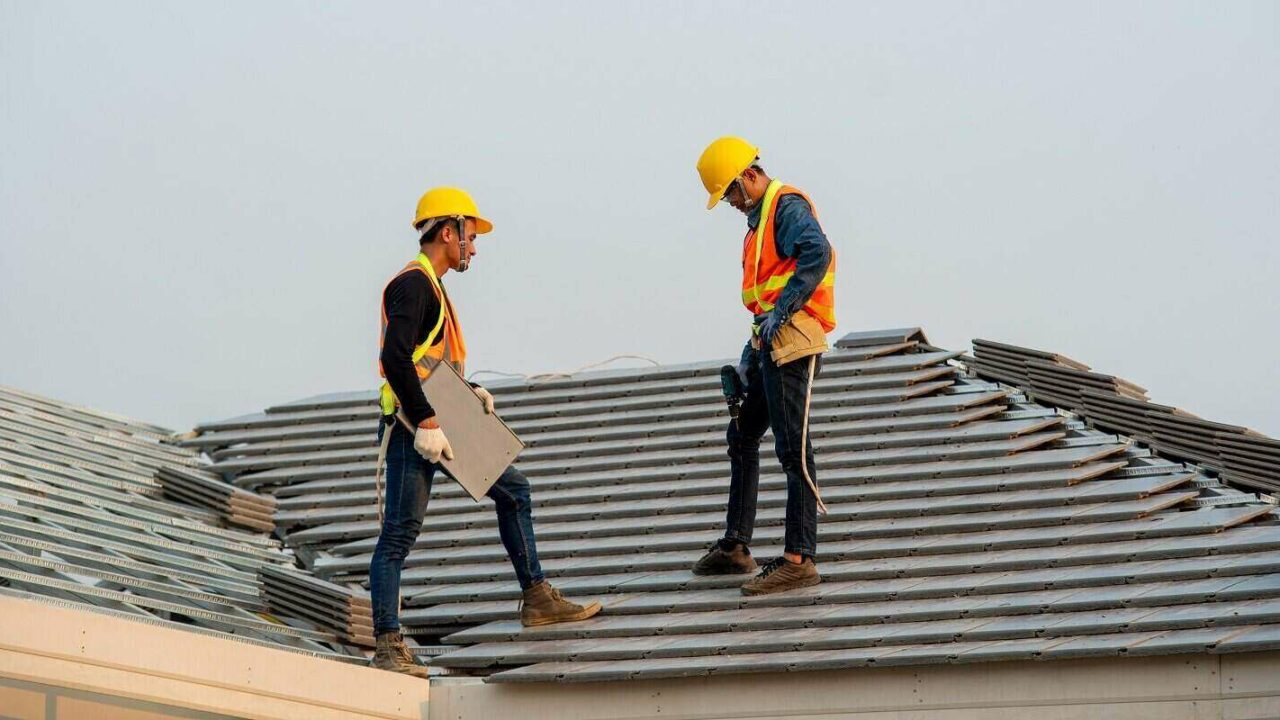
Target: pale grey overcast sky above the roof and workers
200, 203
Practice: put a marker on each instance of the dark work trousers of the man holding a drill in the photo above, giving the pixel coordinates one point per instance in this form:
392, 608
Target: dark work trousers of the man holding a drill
775, 399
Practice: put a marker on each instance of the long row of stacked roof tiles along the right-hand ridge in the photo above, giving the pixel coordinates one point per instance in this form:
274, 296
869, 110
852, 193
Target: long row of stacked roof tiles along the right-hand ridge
1241, 455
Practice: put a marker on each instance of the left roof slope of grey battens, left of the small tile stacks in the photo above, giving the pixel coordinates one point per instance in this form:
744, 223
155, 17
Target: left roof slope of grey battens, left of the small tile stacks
85, 522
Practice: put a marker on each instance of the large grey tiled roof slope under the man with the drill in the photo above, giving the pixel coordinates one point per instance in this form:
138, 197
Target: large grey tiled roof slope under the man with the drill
967, 523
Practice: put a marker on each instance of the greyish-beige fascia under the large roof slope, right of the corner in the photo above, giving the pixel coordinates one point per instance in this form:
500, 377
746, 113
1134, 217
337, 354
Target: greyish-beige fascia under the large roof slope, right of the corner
1244, 686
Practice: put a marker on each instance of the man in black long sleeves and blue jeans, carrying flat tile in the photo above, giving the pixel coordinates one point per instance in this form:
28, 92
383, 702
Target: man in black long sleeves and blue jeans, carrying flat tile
420, 331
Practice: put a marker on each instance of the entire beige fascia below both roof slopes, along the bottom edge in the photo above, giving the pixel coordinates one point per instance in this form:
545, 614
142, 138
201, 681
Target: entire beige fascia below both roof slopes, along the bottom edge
61, 664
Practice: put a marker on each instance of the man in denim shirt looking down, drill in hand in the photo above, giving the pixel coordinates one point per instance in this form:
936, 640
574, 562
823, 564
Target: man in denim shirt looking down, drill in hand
788, 268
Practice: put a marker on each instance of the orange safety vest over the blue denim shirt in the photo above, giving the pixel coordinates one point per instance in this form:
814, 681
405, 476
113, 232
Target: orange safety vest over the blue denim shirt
765, 274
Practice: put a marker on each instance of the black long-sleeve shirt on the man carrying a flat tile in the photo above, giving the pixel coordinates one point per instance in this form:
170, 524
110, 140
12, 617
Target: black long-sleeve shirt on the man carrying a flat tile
413, 311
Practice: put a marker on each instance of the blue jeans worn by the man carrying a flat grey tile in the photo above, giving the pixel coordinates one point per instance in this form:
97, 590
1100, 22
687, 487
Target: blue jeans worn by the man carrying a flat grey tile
409, 487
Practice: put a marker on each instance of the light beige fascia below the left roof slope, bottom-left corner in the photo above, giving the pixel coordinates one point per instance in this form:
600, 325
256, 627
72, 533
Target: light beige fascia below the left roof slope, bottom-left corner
63, 663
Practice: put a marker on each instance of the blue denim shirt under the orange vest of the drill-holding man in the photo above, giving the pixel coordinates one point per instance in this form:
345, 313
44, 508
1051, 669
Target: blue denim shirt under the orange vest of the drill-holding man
797, 235
